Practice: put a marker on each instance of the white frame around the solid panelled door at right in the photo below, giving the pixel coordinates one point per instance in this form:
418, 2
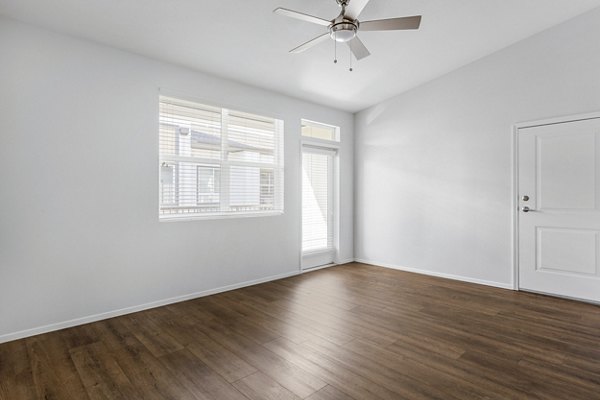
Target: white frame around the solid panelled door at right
514, 203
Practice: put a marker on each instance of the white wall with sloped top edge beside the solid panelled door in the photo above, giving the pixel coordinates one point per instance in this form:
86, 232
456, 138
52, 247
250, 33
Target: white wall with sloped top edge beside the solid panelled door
433, 165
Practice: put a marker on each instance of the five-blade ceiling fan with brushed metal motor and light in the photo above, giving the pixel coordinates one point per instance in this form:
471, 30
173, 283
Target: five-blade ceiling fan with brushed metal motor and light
346, 25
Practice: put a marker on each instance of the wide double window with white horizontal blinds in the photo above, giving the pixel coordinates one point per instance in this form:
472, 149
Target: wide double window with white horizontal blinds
216, 161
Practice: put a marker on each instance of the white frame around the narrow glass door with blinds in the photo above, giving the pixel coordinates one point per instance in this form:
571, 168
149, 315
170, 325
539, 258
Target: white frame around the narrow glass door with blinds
333, 147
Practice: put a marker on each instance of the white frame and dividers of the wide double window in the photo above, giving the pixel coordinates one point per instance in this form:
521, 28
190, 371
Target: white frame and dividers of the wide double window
223, 165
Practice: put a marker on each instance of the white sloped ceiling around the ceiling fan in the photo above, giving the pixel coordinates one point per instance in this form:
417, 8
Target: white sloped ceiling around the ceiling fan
244, 41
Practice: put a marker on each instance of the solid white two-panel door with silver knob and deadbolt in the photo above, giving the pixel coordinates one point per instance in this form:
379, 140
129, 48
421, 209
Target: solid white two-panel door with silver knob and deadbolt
559, 209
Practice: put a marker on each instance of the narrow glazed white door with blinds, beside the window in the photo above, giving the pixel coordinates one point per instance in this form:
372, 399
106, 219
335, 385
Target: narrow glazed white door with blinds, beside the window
317, 207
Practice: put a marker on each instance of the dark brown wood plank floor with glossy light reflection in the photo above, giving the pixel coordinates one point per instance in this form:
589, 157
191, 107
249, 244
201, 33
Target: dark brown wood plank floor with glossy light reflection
349, 332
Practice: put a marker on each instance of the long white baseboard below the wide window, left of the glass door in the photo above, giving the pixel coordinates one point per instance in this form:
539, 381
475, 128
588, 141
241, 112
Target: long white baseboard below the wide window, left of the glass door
128, 310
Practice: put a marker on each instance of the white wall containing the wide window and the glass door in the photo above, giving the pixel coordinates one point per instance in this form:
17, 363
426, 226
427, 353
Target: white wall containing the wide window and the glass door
79, 229
